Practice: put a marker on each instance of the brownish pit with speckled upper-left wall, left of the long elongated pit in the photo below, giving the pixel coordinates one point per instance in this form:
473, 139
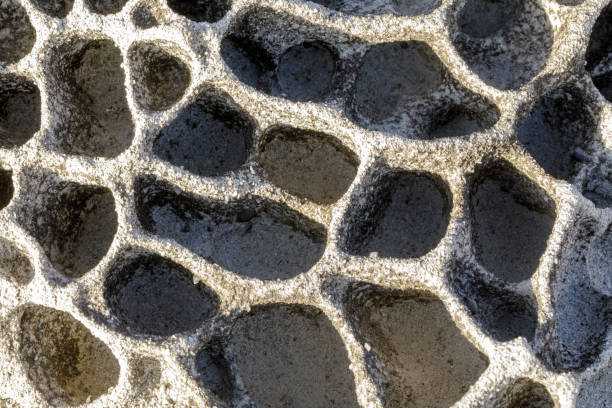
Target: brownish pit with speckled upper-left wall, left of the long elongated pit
75, 224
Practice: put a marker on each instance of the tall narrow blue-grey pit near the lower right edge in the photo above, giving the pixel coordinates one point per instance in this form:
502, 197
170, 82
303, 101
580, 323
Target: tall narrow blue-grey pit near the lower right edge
583, 313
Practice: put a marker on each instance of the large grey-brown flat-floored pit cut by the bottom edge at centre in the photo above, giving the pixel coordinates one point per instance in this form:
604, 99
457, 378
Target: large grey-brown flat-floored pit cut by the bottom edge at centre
292, 356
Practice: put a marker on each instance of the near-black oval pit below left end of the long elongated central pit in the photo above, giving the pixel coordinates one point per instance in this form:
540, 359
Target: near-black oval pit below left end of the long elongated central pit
152, 295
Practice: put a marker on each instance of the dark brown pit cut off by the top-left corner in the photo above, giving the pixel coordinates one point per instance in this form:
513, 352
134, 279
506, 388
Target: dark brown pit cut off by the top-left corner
17, 35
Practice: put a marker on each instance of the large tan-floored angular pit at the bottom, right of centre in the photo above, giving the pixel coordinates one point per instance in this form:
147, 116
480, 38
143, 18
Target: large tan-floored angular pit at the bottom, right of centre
427, 361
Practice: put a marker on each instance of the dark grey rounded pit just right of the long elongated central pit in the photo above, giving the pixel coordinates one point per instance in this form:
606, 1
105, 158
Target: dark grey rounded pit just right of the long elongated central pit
405, 217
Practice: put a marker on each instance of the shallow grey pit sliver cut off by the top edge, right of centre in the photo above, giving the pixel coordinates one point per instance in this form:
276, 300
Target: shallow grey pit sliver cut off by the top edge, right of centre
397, 7
